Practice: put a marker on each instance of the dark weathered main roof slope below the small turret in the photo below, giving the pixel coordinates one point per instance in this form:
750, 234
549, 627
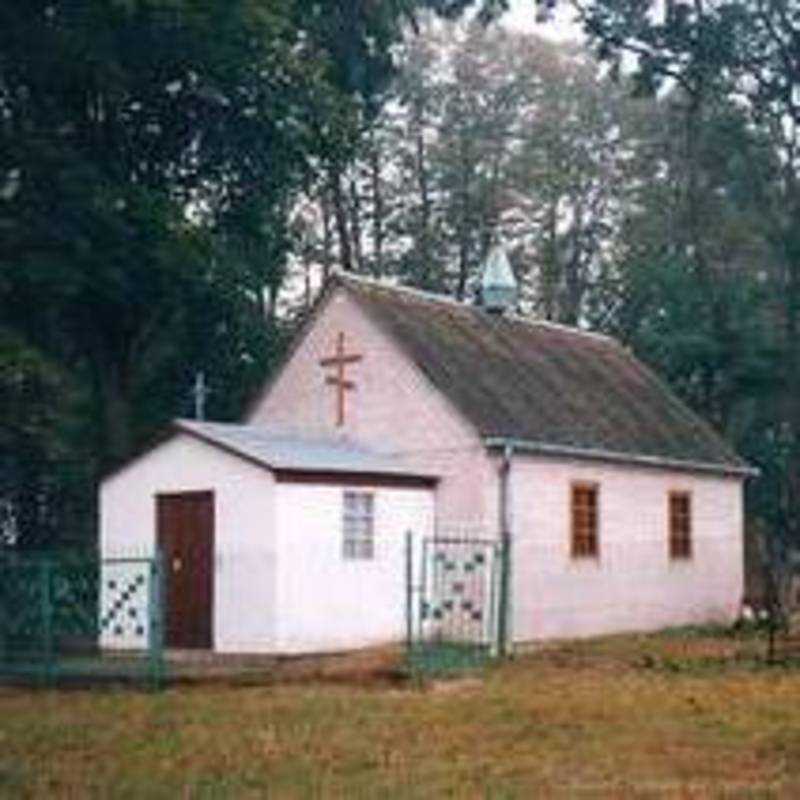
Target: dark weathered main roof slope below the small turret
560, 388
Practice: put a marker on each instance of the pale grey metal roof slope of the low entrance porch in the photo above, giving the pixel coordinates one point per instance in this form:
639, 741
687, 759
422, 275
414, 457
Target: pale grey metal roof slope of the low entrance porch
281, 451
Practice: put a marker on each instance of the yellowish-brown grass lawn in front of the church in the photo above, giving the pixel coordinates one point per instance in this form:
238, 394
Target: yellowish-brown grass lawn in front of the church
673, 715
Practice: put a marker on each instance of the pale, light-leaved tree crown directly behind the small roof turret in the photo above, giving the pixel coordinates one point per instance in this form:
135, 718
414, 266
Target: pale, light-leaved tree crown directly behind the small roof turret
487, 135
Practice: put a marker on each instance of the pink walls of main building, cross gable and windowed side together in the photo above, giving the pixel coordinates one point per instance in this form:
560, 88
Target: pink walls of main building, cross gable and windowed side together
632, 586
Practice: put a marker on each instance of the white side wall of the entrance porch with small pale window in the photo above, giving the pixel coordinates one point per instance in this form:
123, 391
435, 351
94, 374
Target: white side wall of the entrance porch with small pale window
326, 602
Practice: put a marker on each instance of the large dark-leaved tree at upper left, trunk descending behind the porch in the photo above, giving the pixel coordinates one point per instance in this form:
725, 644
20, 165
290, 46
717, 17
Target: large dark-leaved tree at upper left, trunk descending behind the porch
127, 140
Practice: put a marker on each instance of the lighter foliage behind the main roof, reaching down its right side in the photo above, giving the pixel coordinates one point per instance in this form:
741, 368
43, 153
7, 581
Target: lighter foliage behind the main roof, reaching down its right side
666, 218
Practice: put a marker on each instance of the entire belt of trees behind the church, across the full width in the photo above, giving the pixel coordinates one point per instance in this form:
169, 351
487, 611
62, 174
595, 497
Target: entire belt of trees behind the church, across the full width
176, 177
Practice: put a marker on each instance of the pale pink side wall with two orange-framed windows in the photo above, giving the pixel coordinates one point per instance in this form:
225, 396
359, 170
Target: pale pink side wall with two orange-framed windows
633, 585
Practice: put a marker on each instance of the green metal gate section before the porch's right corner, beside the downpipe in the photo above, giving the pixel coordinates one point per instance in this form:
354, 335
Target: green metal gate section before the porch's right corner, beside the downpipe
455, 602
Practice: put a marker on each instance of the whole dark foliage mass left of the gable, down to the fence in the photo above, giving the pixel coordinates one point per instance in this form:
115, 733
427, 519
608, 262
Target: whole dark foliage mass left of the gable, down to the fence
150, 151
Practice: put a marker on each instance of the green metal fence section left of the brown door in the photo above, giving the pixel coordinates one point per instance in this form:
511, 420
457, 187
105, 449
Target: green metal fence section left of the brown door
67, 617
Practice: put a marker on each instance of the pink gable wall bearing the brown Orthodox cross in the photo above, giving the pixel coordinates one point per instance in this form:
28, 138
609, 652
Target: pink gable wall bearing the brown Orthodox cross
394, 408
